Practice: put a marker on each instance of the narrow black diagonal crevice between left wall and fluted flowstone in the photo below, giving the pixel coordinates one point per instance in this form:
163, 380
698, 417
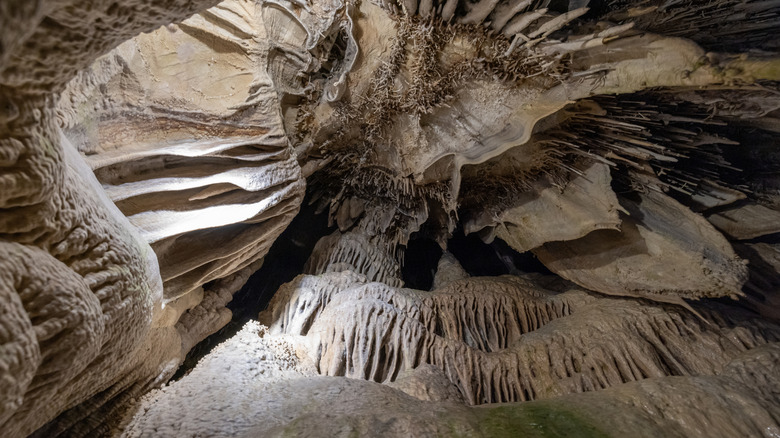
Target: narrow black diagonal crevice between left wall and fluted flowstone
284, 261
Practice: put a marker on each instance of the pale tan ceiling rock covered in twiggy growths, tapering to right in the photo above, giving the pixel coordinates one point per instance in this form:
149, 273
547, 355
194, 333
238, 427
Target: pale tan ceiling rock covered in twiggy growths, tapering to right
432, 138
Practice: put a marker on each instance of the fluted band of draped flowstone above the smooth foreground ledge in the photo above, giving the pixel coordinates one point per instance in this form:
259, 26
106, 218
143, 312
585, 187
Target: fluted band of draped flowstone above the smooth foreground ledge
506, 339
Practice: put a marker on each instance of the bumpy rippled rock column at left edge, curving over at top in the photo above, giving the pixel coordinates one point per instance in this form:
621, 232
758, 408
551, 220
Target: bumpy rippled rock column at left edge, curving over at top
86, 289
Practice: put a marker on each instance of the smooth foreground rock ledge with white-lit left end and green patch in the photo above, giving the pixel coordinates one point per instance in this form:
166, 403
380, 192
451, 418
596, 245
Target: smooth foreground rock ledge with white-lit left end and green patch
259, 383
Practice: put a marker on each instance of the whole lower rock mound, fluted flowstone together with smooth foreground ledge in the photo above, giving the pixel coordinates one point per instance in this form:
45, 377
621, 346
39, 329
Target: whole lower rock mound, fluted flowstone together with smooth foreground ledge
261, 383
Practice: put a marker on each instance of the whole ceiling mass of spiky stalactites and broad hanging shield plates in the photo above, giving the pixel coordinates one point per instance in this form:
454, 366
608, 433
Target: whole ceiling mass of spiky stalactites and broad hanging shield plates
462, 115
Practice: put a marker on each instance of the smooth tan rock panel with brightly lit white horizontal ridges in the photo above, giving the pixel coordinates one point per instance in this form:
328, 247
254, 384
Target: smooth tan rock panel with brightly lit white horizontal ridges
182, 127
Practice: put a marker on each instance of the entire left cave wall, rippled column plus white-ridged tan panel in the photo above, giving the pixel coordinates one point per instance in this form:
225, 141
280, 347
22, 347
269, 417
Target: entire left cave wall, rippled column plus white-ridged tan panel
88, 323
